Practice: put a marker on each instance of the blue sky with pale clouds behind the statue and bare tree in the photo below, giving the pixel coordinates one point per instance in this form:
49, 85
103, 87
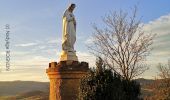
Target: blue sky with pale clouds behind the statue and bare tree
36, 29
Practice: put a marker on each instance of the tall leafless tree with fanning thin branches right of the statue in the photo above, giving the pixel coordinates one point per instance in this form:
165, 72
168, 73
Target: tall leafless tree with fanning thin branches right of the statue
122, 44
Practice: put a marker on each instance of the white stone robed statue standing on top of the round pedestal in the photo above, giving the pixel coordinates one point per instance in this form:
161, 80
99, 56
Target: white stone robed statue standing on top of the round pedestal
69, 35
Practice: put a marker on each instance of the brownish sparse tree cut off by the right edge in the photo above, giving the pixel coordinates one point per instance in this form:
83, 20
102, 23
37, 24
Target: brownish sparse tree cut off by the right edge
161, 90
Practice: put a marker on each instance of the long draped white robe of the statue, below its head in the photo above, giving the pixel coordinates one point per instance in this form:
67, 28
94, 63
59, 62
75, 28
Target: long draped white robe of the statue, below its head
69, 32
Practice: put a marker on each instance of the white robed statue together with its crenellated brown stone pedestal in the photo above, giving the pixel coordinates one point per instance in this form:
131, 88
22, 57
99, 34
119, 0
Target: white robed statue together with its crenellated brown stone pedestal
66, 74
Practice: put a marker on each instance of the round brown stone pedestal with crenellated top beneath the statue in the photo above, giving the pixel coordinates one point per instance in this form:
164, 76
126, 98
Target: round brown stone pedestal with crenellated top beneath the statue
65, 79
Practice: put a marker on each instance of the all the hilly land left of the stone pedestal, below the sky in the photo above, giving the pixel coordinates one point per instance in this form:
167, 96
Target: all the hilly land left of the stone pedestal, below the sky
17, 90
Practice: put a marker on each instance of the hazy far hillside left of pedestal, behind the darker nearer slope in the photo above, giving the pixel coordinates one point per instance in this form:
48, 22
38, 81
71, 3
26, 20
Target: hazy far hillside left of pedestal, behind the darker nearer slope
18, 87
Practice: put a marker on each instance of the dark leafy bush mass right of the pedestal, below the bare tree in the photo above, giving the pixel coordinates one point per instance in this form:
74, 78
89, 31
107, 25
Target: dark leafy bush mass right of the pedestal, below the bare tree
102, 84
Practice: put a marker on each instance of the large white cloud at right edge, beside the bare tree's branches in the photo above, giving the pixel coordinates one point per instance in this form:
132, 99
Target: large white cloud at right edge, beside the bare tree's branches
161, 27
